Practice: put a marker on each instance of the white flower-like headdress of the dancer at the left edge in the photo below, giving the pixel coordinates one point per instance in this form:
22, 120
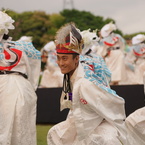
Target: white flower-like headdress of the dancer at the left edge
5, 23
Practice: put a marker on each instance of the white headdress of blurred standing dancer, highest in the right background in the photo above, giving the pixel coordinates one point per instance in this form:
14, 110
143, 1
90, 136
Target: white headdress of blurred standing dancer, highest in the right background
107, 29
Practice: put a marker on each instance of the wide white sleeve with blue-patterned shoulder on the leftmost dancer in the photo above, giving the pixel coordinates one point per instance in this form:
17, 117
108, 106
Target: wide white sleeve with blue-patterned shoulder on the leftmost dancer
32, 61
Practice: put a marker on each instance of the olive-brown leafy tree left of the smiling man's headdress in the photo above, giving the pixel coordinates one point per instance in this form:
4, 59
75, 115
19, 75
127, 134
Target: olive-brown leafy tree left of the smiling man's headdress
41, 26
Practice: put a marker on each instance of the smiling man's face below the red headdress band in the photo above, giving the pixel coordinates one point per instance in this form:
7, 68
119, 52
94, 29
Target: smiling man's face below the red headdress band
67, 63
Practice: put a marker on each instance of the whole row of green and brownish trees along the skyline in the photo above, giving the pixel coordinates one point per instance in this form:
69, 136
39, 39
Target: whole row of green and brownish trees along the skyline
42, 27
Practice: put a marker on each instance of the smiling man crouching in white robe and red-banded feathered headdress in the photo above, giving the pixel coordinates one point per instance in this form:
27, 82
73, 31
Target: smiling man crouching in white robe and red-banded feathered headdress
96, 116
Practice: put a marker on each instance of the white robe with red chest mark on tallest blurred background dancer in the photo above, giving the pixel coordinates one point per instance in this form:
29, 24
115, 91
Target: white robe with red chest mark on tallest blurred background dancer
115, 60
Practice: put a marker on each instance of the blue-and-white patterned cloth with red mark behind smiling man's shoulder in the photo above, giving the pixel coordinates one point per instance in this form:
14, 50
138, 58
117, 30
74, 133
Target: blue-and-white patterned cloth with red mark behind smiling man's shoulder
100, 74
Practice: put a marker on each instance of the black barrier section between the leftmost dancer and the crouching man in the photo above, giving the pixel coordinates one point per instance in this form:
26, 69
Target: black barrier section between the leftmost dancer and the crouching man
48, 106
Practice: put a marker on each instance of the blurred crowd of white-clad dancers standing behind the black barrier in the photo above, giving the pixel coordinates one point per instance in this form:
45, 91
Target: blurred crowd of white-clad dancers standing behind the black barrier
124, 58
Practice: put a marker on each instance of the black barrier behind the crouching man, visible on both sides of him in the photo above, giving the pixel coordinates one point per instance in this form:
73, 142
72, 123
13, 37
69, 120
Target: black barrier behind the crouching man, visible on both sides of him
48, 103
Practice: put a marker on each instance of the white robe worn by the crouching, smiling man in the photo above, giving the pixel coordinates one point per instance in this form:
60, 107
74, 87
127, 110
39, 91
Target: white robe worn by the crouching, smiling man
96, 116
